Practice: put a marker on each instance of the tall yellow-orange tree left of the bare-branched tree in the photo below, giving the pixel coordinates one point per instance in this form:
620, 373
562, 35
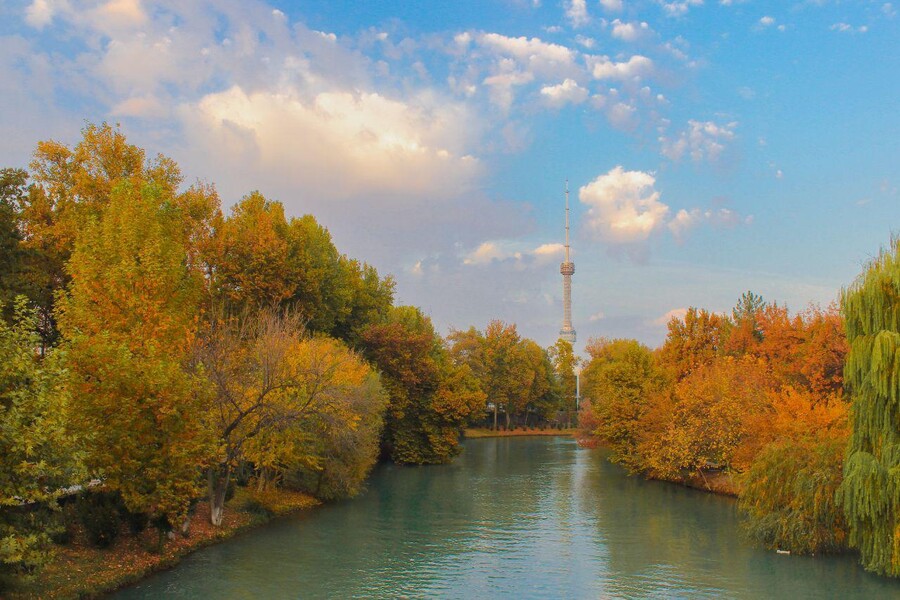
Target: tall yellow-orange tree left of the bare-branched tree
128, 319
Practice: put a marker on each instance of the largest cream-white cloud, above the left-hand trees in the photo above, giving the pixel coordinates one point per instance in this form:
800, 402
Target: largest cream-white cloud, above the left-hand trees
342, 142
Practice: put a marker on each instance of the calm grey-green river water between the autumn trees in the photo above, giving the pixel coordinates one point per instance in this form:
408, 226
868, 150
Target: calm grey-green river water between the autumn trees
521, 517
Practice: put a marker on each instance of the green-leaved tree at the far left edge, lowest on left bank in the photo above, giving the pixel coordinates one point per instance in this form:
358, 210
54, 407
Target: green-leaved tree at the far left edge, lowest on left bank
38, 455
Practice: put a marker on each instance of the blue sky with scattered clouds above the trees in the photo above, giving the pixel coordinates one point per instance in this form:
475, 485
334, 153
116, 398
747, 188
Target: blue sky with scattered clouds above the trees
710, 146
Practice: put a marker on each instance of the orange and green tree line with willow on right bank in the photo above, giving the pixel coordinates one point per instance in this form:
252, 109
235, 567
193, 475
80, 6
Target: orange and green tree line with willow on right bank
801, 412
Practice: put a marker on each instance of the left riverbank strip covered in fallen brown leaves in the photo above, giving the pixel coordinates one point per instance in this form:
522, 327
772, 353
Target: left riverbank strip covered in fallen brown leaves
80, 570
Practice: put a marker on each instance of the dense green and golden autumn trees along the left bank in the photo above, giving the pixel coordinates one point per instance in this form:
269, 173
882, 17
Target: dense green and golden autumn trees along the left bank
156, 352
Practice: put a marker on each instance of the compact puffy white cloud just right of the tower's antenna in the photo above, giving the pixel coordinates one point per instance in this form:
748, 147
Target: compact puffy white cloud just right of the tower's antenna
624, 206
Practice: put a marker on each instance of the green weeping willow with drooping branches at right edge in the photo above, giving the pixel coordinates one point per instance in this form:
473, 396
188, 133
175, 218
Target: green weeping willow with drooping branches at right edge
870, 492
